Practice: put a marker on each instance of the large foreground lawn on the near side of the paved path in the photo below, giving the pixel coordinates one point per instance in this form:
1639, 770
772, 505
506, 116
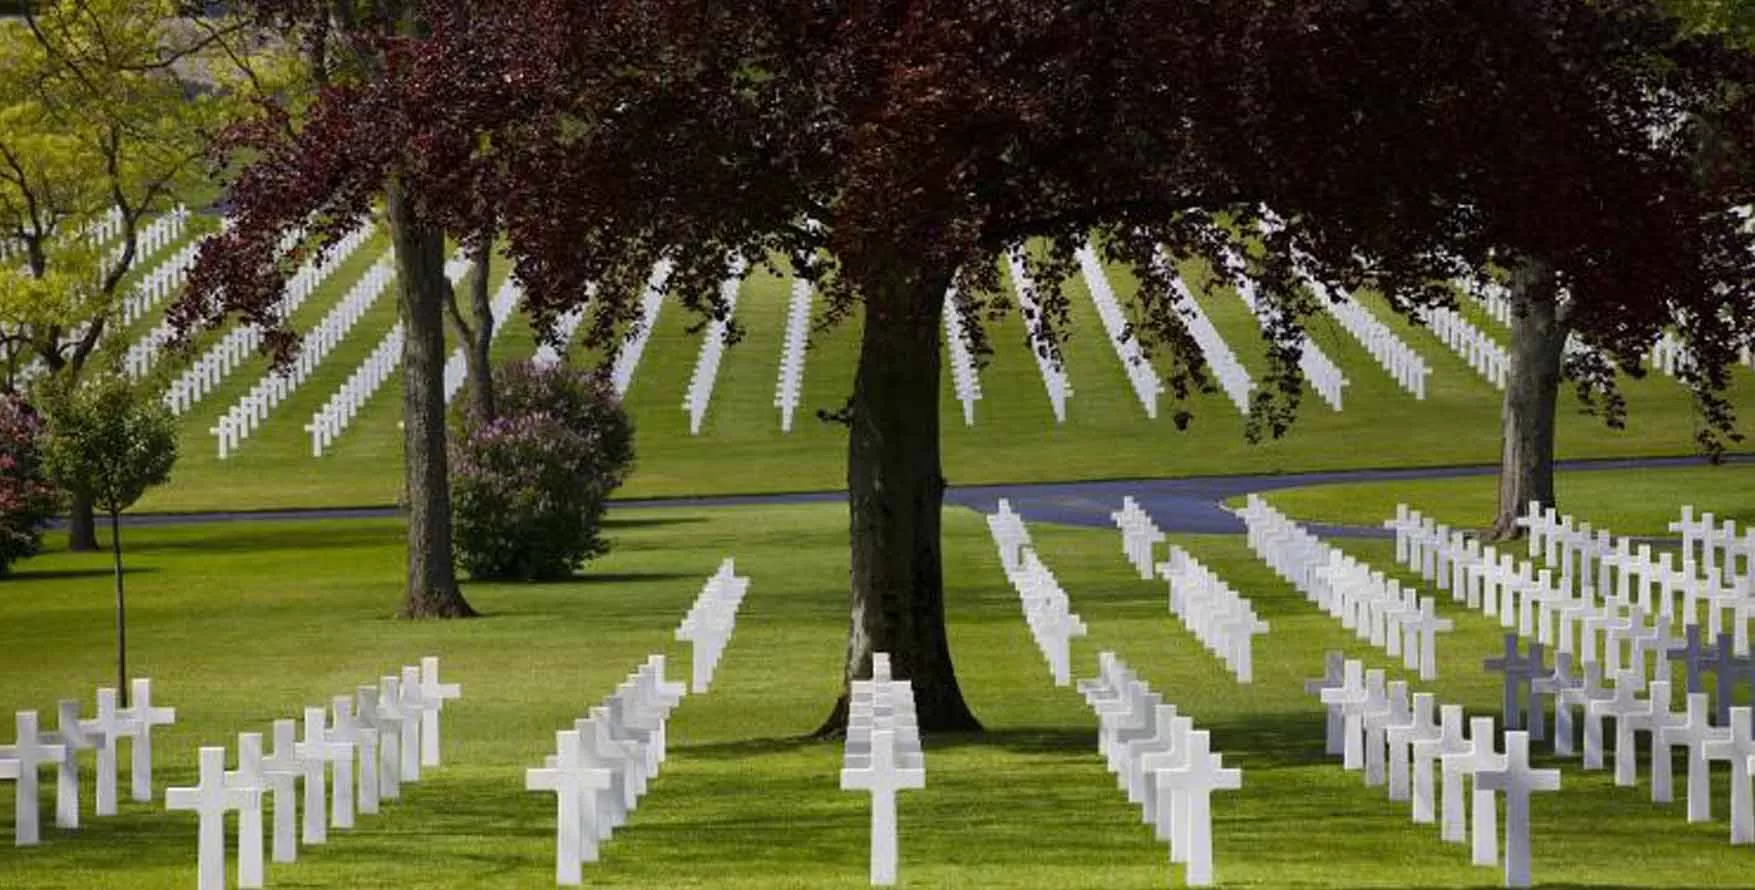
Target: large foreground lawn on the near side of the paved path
248, 622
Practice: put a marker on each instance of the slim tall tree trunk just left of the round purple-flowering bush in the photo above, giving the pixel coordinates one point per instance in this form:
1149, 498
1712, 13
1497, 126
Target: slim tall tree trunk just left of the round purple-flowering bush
422, 292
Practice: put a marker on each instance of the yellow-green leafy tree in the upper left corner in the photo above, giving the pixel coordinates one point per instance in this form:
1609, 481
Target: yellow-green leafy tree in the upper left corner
106, 106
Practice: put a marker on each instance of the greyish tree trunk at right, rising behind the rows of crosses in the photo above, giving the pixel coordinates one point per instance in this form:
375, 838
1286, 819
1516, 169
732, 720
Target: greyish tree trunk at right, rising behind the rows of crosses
1533, 387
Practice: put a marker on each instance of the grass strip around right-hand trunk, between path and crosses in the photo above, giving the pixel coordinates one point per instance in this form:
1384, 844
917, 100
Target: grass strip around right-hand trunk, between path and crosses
1628, 503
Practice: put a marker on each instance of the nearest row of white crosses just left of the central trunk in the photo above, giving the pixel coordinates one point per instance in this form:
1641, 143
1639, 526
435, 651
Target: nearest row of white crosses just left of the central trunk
601, 766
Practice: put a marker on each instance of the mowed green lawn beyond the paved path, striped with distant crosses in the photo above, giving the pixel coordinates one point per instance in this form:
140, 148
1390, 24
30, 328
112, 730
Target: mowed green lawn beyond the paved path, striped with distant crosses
1015, 438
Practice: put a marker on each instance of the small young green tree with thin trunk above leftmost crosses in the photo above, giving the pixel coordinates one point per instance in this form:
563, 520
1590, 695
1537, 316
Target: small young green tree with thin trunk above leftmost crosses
110, 441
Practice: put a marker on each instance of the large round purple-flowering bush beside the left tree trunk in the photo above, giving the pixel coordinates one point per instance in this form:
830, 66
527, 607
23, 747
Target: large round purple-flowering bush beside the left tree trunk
531, 487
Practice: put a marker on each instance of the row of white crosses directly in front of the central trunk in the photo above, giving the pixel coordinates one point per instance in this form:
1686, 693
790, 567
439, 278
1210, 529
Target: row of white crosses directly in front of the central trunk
884, 756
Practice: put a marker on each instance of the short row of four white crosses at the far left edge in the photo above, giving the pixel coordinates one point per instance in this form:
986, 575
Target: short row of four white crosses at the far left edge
73, 735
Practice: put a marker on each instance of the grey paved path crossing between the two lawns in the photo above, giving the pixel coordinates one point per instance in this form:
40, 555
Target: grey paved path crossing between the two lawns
1180, 506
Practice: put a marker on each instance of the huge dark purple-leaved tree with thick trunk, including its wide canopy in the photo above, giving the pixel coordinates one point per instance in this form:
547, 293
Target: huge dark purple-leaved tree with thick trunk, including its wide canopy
894, 148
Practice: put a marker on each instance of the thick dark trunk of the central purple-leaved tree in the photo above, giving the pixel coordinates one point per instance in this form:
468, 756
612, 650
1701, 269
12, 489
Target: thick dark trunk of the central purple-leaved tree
896, 491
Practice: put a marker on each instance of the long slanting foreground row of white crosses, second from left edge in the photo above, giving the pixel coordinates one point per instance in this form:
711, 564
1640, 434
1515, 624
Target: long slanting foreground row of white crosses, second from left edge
390, 731
